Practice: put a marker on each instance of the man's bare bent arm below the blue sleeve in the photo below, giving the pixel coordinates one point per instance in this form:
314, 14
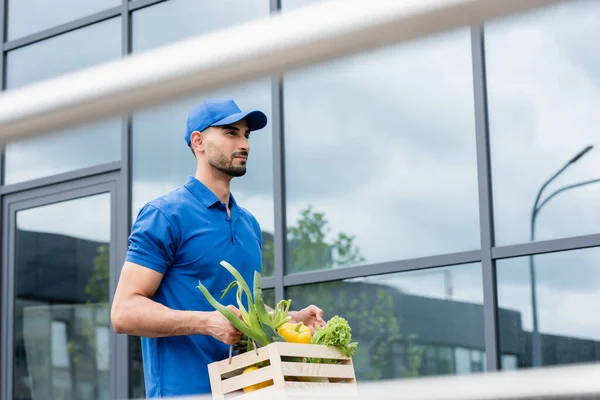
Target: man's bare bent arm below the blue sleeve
134, 313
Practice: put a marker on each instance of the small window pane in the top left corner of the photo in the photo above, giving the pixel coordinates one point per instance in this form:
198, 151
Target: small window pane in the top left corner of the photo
26, 17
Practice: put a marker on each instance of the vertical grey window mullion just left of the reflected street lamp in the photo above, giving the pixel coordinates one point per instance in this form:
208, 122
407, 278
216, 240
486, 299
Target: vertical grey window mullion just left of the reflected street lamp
486, 212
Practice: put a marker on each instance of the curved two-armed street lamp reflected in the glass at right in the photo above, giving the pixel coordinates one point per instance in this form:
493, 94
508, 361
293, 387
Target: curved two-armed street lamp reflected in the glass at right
536, 344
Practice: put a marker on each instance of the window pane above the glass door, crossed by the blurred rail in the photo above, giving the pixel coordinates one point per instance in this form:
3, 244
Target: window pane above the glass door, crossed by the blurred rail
72, 148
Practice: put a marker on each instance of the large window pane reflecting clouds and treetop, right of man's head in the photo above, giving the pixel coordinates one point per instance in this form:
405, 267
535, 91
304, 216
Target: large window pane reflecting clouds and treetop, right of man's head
380, 156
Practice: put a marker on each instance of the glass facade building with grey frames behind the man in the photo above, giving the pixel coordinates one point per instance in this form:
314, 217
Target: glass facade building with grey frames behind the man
438, 194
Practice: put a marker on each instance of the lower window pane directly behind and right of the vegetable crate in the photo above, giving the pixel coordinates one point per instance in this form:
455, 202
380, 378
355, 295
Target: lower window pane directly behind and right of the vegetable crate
423, 315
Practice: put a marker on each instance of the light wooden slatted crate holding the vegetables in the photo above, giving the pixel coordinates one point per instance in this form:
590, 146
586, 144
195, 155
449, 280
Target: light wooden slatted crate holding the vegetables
227, 380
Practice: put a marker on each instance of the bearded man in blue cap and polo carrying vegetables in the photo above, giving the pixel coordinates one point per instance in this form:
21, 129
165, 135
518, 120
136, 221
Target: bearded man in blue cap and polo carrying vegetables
179, 239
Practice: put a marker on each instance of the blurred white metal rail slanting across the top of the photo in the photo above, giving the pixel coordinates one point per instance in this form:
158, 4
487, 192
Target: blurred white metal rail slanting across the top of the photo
264, 47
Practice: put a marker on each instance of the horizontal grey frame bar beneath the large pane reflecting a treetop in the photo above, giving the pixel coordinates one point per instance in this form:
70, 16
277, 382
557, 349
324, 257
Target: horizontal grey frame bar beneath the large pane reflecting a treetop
382, 268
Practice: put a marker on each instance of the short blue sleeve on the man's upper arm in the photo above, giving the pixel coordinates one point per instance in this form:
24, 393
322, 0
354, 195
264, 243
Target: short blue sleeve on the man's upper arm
152, 242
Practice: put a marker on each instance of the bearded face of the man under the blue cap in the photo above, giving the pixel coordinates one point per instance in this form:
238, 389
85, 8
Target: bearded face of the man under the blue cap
227, 148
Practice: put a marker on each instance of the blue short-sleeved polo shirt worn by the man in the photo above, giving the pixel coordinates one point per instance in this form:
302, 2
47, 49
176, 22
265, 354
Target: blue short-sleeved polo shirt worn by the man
184, 235
